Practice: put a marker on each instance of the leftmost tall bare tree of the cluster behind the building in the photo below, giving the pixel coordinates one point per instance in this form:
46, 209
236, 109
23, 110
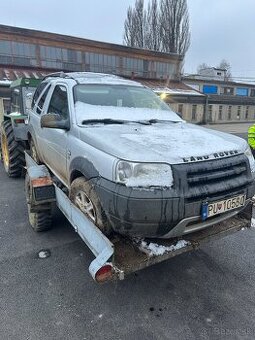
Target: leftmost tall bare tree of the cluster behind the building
134, 25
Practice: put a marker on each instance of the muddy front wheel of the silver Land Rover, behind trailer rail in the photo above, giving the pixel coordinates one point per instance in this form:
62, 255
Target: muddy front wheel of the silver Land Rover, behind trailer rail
84, 196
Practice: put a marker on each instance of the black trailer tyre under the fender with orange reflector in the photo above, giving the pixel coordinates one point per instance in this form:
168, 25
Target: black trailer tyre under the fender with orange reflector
40, 220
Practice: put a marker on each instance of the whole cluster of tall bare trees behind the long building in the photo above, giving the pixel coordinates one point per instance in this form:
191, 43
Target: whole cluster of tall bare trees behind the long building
163, 26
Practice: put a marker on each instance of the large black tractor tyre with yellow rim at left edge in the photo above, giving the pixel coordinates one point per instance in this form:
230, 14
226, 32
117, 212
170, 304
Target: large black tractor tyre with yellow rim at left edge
12, 152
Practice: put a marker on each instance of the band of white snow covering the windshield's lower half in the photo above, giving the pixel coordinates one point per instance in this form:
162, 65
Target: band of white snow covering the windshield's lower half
87, 111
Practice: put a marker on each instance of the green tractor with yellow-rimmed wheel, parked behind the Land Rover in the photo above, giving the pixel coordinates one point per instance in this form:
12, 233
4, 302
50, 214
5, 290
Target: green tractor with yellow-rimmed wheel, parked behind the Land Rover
14, 126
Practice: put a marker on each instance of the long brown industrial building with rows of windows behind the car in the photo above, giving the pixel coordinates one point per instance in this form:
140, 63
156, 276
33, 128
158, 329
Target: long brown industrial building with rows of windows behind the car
31, 53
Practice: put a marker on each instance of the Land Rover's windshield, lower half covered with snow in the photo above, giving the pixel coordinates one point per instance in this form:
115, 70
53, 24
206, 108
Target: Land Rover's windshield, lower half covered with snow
119, 102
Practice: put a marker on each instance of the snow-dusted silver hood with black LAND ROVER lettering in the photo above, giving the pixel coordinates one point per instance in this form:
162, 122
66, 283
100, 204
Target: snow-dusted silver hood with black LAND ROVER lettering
169, 142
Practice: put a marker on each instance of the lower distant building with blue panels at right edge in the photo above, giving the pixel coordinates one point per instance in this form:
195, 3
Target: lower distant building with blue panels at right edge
226, 100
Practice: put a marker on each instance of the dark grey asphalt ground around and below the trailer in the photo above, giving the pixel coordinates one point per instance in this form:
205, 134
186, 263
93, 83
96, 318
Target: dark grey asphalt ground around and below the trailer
206, 294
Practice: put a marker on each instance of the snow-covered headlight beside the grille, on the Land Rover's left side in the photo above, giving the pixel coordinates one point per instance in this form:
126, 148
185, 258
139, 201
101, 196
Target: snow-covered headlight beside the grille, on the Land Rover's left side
144, 174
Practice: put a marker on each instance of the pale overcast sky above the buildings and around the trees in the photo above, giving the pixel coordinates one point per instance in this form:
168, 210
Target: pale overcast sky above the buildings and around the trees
220, 29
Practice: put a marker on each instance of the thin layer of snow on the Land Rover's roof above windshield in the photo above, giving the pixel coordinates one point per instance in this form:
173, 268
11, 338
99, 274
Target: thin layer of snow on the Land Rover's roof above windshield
101, 78
